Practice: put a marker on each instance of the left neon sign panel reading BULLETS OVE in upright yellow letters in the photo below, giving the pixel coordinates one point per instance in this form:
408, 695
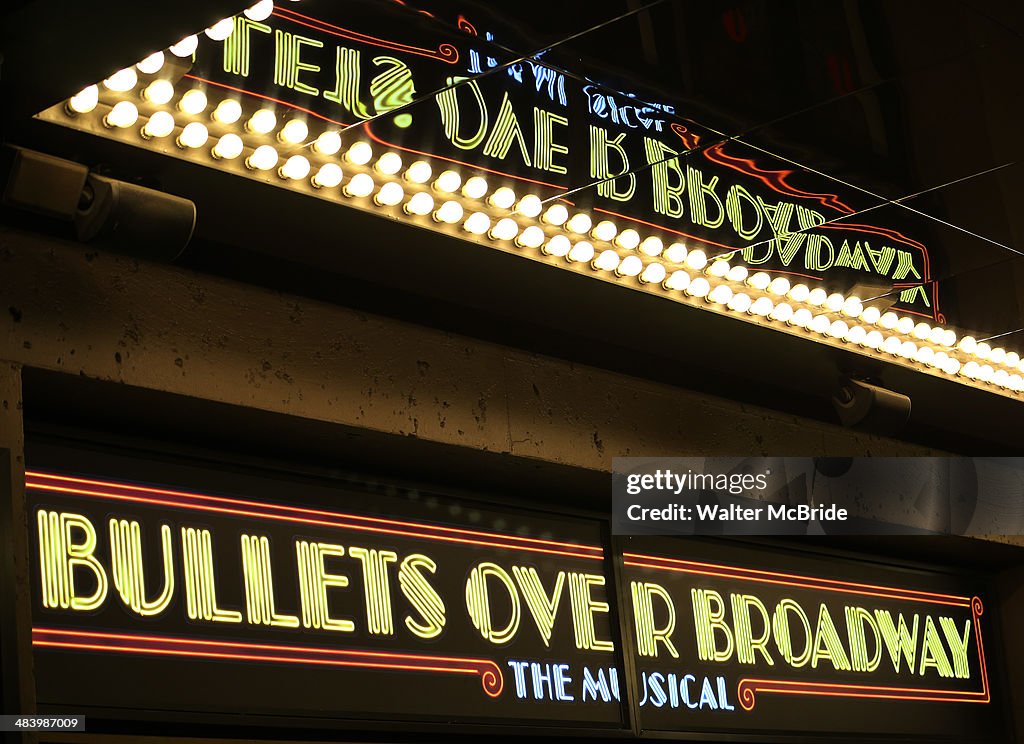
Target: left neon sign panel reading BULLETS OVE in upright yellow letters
163, 599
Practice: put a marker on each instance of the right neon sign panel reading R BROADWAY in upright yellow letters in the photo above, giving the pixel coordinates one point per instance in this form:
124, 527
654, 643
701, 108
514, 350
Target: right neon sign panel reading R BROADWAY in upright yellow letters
747, 643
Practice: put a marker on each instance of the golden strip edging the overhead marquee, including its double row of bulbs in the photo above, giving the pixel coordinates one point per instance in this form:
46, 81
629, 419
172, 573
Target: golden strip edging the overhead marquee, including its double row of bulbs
156, 105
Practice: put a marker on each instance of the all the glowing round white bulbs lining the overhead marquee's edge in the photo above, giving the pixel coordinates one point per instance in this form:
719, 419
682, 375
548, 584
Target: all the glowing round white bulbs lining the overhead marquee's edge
551, 230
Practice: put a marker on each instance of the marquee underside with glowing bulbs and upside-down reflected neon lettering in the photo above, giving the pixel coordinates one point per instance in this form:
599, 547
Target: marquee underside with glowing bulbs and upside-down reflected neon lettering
383, 108
